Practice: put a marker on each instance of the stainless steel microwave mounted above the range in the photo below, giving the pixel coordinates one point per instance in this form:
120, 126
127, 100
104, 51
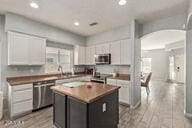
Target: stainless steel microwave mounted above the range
102, 59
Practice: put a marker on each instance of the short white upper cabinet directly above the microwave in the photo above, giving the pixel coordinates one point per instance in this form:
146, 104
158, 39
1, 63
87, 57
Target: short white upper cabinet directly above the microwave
102, 49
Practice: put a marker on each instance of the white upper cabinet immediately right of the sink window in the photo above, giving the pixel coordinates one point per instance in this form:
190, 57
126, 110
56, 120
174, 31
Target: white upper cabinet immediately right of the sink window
79, 55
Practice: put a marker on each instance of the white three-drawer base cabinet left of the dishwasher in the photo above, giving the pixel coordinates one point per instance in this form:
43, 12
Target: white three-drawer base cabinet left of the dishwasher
20, 99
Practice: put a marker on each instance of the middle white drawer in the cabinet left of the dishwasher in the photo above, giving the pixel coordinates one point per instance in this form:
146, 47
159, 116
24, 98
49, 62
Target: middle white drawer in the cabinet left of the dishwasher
22, 95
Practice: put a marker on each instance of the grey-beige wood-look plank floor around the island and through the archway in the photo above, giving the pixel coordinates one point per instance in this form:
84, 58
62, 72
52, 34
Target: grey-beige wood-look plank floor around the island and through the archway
163, 108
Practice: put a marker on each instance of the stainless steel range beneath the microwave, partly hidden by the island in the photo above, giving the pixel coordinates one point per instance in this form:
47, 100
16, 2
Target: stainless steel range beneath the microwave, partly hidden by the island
100, 78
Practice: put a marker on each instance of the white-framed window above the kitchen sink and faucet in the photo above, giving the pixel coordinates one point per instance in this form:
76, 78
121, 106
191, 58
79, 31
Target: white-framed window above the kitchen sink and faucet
56, 57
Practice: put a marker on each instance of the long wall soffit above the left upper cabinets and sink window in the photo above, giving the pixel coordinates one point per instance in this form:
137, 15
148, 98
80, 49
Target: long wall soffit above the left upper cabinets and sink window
21, 24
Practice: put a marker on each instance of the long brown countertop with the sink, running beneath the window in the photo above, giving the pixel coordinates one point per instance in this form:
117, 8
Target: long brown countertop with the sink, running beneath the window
38, 78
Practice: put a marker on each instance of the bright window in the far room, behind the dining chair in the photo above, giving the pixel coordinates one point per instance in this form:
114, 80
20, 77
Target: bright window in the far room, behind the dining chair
146, 65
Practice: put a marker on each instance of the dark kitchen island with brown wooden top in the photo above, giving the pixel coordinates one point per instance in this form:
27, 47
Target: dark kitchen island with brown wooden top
90, 105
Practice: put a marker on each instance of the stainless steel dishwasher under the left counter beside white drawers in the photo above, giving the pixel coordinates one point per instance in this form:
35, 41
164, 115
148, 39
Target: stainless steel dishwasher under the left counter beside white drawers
42, 94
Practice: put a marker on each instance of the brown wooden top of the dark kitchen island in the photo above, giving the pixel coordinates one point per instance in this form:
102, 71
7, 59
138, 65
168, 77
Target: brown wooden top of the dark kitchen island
88, 92
